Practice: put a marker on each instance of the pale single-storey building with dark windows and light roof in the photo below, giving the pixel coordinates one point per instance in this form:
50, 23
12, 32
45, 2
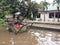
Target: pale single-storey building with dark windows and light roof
50, 15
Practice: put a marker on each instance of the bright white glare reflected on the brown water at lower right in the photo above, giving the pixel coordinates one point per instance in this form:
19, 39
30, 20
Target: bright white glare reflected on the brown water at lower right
46, 37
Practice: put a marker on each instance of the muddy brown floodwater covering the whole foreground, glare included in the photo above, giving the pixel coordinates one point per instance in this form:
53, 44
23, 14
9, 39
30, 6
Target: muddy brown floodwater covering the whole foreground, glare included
32, 37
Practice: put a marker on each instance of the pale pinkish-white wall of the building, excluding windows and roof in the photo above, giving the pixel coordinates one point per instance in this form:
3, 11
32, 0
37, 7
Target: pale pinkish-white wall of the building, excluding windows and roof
46, 18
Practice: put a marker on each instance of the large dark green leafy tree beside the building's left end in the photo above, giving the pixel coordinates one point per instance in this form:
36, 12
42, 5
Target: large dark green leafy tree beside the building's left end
31, 7
